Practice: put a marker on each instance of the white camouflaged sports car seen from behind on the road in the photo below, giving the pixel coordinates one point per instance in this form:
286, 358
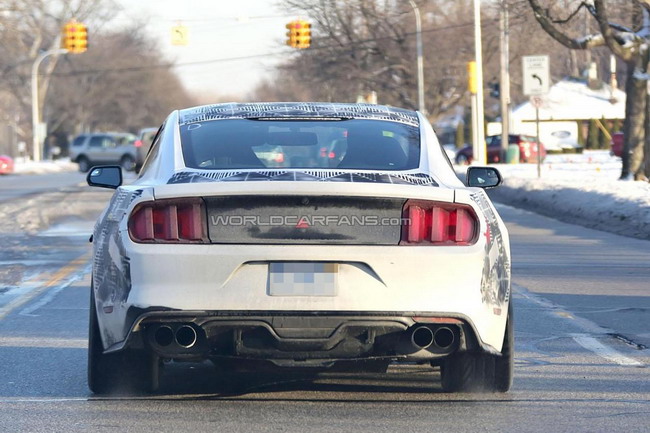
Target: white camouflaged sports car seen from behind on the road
300, 235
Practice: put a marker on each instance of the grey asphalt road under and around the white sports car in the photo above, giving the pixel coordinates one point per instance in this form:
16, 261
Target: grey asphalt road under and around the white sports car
582, 303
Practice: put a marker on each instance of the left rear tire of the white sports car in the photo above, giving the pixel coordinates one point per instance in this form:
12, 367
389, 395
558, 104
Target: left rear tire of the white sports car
127, 371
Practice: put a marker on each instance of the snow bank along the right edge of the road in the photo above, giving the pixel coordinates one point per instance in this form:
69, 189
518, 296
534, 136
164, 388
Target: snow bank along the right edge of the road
581, 189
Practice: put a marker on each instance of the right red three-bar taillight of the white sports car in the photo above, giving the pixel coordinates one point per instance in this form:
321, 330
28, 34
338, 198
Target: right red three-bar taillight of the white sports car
433, 223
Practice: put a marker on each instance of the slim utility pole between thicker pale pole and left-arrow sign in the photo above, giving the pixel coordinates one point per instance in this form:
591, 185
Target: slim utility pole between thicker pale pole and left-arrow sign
504, 85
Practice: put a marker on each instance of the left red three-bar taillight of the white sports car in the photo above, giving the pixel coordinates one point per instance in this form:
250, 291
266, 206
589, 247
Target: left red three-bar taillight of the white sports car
169, 221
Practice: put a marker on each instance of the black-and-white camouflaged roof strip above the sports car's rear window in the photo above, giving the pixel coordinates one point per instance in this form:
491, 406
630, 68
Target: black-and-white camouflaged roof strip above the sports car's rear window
299, 110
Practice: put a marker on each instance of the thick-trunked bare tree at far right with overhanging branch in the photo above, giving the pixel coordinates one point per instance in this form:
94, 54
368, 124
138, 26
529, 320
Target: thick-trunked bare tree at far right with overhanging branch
629, 42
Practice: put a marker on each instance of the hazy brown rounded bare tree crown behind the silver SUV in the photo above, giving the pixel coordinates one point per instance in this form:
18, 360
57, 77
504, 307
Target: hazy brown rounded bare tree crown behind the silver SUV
120, 83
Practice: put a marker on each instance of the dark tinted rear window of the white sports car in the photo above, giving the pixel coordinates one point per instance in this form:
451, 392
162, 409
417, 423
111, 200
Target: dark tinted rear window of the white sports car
310, 144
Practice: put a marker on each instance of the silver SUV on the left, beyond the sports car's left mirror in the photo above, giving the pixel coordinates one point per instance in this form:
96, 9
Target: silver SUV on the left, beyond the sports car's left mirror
88, 150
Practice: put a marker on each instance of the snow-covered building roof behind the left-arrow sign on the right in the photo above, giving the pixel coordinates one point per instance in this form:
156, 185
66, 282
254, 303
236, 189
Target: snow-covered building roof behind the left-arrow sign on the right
572, 99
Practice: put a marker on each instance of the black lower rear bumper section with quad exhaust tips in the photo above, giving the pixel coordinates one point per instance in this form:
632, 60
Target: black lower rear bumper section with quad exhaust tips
300, 338
